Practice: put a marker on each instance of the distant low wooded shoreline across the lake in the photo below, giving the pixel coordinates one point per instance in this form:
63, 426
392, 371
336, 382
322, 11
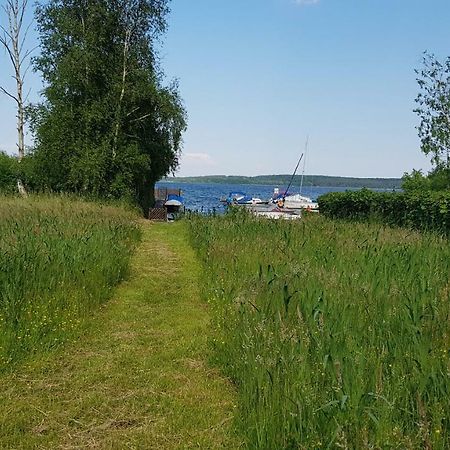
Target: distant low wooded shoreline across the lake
283, 180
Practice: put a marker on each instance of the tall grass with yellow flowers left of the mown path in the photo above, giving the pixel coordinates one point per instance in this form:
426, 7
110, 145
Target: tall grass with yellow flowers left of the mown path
59, 260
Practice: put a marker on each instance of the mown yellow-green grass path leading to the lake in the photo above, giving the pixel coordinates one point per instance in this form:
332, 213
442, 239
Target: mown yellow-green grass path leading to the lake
138, 377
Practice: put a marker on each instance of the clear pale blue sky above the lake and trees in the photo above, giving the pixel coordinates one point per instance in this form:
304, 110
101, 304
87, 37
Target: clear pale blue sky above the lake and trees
260, 76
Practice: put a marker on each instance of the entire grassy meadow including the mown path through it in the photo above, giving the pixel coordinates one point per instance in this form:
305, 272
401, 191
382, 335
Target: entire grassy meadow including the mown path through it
327, 334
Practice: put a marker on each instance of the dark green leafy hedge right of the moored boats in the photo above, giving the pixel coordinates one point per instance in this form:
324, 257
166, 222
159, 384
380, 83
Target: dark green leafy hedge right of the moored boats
427, 211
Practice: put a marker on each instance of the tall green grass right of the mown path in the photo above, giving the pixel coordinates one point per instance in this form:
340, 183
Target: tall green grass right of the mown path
337, 335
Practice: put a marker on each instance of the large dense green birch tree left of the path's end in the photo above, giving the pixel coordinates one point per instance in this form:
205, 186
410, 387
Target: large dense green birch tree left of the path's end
108, 126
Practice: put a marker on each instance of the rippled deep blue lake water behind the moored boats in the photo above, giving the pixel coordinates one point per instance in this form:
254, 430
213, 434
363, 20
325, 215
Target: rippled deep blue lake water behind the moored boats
206, 196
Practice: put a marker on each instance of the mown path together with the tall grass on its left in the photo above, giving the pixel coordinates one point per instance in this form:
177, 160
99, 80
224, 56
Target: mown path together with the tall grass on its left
103, 335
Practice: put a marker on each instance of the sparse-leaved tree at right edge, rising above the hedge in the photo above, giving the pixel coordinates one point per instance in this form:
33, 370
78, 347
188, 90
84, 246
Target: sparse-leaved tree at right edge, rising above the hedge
433, 109
